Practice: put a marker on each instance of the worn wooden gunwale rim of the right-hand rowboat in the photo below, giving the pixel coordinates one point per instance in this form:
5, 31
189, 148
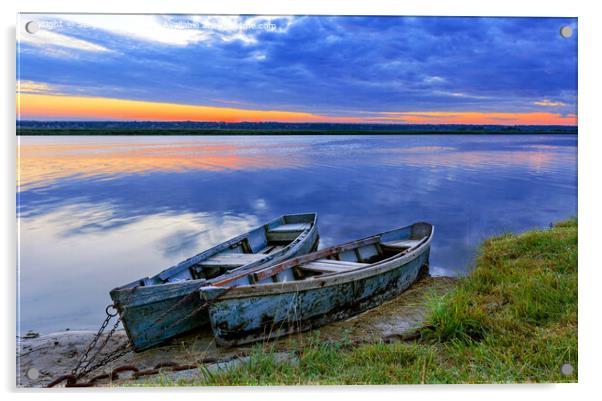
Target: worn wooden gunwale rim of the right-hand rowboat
328, 280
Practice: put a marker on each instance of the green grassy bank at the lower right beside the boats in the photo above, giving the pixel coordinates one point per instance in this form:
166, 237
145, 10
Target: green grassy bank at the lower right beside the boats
514, 319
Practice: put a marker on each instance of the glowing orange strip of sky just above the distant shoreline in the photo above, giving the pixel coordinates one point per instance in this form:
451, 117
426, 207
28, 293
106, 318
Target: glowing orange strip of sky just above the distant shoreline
59, 107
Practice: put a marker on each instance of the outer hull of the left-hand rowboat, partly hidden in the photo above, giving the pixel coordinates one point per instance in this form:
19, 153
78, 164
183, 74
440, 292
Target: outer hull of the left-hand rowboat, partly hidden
153, 314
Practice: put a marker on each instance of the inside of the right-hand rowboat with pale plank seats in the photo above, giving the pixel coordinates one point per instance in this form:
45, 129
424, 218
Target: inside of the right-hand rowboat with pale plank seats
353, 256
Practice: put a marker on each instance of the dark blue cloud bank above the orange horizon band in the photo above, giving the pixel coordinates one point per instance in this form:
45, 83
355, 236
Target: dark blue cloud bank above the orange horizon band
329, 65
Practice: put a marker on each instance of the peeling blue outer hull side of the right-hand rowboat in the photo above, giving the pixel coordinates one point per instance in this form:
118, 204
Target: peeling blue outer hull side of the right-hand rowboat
237, 320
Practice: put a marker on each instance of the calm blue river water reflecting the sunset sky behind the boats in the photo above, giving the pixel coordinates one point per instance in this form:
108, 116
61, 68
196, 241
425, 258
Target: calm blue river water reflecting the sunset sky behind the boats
97, 212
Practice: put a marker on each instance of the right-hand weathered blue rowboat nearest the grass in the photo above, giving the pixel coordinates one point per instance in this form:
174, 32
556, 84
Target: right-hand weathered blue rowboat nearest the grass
315, 289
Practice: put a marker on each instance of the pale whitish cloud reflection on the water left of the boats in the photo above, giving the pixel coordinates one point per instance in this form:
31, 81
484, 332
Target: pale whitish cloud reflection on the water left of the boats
66, 271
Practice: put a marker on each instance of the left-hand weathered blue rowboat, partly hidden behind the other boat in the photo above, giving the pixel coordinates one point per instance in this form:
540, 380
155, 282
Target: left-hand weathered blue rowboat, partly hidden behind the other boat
155, 309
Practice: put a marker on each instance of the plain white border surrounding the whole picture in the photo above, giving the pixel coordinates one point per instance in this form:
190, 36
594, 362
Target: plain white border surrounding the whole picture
590, 27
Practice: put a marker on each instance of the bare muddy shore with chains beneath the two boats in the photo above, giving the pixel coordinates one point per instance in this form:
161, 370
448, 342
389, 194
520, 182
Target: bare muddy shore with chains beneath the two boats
42, 359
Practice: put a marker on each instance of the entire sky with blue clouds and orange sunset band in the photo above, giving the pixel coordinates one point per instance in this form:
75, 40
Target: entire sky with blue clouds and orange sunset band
415, 70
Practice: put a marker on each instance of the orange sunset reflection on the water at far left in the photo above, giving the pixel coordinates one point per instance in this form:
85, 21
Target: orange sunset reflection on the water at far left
49, 162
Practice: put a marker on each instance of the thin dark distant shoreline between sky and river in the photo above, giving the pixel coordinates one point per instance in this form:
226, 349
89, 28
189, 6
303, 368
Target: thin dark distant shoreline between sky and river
261, 132
